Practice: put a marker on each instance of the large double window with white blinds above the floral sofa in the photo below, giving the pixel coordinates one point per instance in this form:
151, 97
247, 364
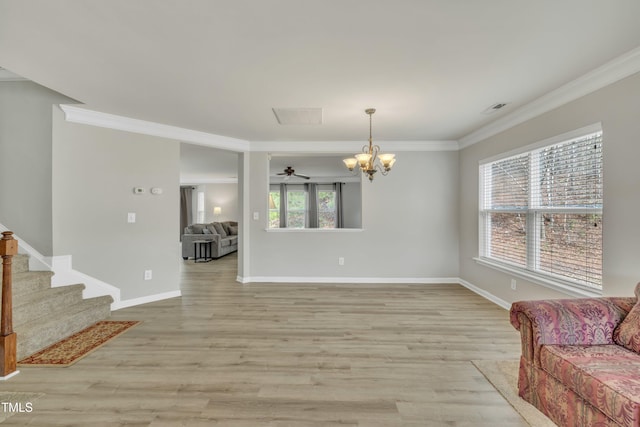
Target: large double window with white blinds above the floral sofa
541, 211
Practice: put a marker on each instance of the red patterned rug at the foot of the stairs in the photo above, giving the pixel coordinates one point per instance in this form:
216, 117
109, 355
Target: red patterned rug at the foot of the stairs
73, 348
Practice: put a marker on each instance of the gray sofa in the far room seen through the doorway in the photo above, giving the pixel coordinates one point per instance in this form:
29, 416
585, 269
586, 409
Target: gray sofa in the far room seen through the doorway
224, 237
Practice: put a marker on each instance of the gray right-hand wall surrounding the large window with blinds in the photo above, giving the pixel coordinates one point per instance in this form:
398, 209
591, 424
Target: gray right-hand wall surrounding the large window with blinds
616, 107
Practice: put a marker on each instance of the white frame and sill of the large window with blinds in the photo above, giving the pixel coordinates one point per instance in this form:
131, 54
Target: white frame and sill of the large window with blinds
533, 213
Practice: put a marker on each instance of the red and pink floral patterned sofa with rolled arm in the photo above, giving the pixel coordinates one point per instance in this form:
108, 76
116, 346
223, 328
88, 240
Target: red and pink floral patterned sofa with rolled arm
580, 362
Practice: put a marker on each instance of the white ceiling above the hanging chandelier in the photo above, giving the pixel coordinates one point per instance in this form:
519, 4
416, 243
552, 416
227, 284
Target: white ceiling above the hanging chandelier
430, 67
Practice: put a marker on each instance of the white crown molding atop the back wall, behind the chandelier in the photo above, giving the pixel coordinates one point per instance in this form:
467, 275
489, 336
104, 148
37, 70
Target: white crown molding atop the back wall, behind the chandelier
349, 146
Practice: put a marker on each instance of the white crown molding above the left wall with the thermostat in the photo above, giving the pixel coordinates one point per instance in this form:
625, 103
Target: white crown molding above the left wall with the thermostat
111, 121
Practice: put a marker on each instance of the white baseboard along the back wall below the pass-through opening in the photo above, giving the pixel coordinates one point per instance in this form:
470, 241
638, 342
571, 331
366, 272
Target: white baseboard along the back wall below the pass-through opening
310, 279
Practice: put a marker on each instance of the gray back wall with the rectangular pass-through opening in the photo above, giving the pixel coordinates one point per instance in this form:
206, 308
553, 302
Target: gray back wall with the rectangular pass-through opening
410, 227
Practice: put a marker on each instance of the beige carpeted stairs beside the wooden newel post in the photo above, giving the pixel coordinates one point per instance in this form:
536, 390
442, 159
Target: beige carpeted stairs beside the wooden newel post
43, 315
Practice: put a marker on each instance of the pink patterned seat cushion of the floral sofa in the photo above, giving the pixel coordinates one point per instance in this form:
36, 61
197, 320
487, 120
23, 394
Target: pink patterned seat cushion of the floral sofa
606, 376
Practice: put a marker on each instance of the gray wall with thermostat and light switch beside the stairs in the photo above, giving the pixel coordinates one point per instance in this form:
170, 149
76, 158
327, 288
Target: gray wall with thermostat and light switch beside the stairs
94, 173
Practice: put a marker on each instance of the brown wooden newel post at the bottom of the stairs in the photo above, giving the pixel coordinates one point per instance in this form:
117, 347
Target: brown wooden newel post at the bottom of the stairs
8, 248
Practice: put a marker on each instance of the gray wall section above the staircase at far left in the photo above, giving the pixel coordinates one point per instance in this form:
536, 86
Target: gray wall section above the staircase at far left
25, 156
